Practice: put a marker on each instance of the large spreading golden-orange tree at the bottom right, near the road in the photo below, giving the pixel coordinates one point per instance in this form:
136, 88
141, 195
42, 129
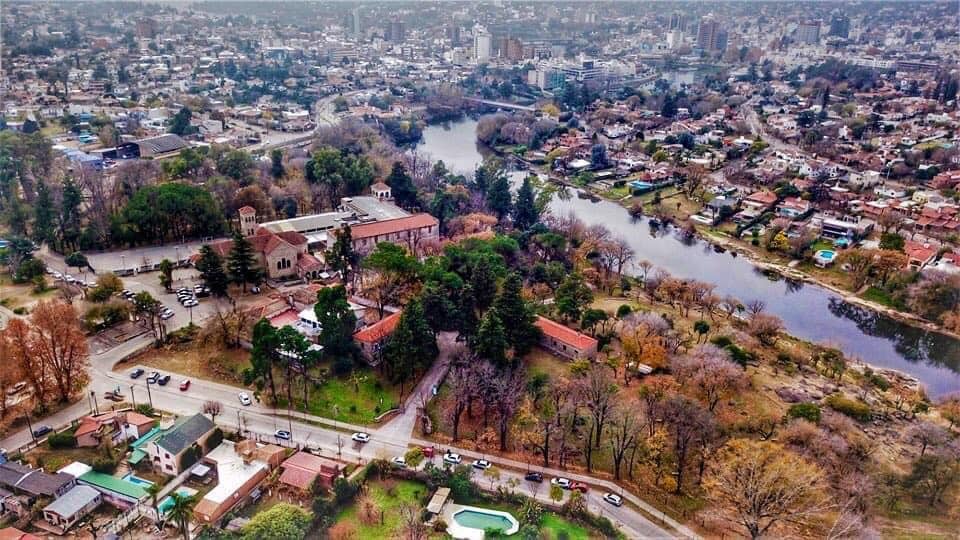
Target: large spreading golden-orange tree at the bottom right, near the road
759, 484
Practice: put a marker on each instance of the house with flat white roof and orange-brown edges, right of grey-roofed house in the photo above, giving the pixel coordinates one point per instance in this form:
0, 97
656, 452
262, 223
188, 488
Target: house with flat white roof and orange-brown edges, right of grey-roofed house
240, 469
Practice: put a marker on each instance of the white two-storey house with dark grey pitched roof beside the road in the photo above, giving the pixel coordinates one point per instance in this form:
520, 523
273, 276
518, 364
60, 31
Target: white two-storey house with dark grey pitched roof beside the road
169, 451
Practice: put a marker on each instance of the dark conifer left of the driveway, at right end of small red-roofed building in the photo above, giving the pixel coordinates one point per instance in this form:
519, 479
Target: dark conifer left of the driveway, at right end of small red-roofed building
412, 347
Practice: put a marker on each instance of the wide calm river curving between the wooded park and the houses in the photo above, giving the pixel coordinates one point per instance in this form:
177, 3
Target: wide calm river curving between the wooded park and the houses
808, 311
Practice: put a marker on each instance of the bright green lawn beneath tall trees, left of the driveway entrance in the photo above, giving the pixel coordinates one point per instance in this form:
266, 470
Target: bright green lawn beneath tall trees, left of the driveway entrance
341, 399
